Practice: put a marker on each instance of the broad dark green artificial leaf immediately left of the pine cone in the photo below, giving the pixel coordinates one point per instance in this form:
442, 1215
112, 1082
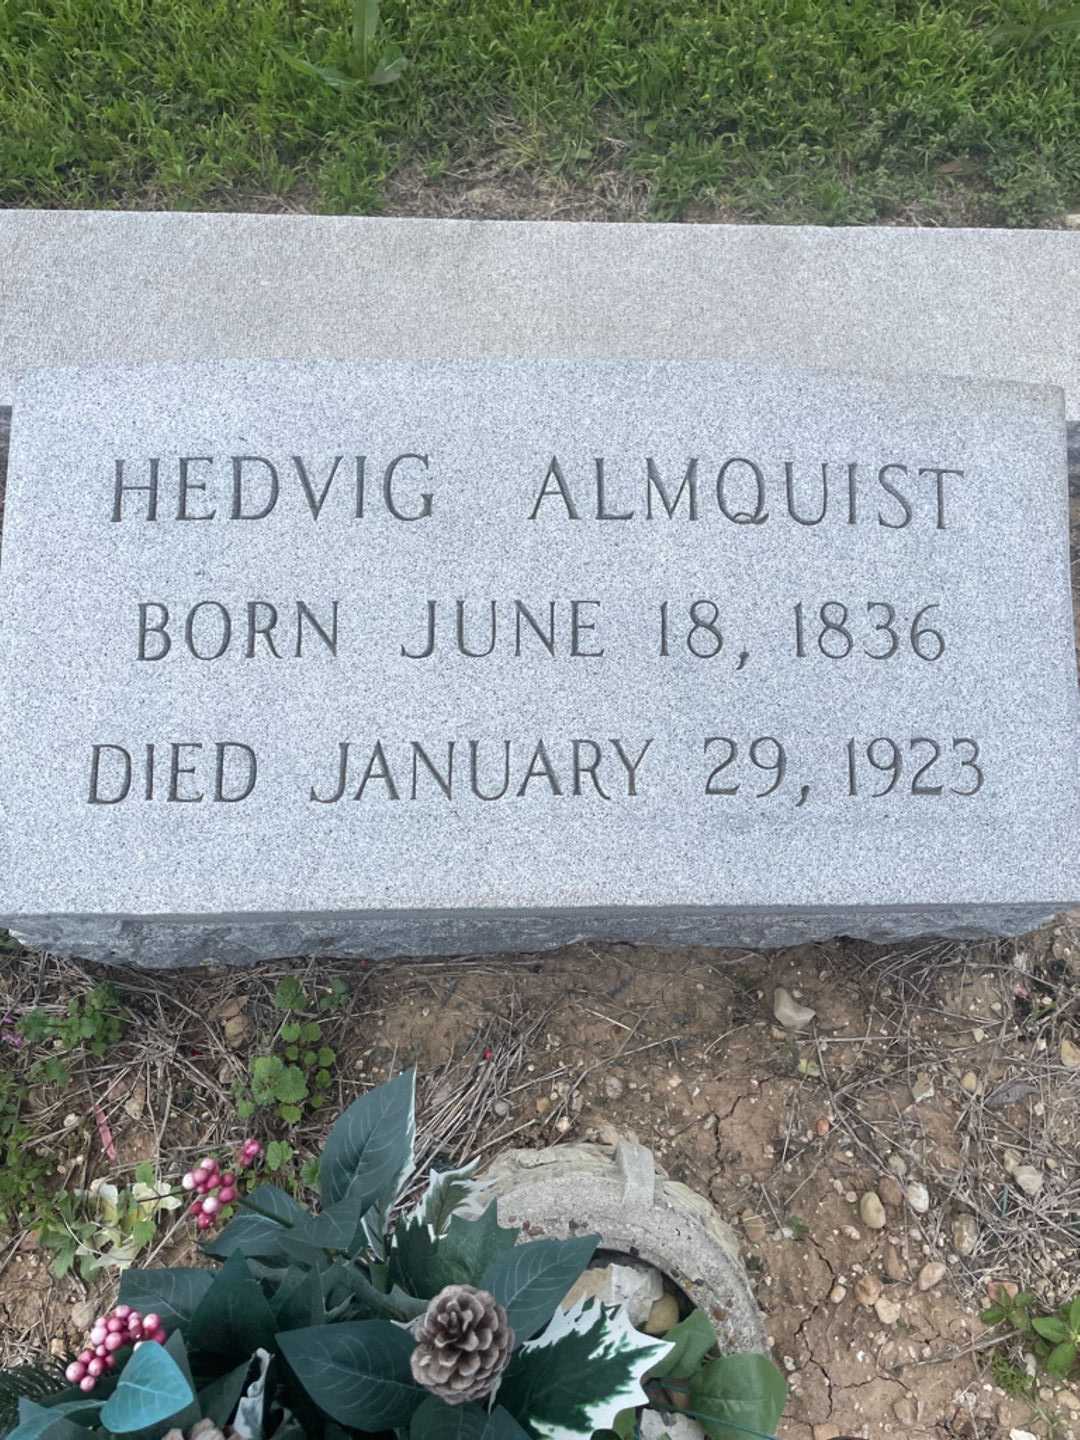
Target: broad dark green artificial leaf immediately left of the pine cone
356, 1373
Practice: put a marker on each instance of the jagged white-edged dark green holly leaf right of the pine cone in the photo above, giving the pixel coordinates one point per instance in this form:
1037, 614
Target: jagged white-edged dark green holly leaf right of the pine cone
580, 1374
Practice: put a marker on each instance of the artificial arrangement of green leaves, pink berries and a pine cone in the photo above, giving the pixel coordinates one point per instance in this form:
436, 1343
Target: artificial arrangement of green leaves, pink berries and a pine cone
330, 1324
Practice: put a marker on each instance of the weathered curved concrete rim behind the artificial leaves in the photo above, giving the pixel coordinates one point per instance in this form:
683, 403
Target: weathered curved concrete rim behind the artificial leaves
639, 1212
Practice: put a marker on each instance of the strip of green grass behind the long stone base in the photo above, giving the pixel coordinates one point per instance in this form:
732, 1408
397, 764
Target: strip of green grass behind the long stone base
836, 112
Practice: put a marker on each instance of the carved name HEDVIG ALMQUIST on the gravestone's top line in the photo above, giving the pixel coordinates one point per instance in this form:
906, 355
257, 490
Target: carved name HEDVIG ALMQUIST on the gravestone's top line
741, 490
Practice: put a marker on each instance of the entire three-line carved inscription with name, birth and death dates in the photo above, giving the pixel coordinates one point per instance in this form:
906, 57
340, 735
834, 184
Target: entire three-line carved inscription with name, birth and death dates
731, 770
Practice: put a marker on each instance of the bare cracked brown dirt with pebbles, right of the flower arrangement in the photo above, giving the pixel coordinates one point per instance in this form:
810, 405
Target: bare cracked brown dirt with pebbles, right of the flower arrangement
786, 1133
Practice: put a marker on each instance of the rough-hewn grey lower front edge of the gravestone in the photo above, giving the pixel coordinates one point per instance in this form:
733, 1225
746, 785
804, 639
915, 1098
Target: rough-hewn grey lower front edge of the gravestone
233, 941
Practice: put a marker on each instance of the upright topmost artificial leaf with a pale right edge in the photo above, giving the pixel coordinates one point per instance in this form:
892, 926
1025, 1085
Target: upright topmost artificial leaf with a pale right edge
374, 1140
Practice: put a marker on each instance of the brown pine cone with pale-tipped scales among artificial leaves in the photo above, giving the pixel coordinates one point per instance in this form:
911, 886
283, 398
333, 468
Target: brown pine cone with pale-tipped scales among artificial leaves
463, 1344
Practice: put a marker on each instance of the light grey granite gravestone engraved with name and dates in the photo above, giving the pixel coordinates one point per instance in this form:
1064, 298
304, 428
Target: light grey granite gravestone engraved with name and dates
453, 657
